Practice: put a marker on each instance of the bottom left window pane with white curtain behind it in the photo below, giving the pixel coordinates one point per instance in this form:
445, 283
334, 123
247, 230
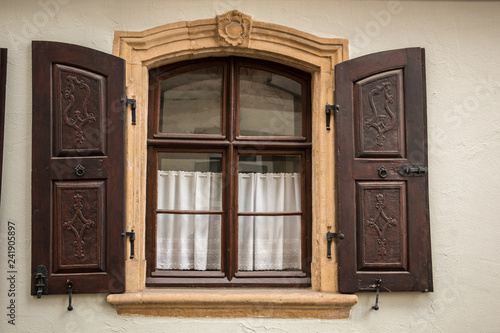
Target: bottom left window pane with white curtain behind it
188, 242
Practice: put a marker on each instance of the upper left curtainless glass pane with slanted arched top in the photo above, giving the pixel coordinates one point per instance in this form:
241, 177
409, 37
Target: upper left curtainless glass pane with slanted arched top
191, 103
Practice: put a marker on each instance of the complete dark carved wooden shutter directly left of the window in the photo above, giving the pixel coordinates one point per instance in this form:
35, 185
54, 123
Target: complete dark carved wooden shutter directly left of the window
78, 168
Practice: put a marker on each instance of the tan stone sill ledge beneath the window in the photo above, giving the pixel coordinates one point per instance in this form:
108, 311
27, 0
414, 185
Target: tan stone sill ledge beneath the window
234, 303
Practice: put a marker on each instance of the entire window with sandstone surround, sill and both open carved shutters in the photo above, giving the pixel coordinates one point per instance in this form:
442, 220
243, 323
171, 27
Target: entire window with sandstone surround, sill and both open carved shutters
381, 183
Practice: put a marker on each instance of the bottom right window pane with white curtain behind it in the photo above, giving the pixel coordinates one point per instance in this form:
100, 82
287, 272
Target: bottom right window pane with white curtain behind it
269, 243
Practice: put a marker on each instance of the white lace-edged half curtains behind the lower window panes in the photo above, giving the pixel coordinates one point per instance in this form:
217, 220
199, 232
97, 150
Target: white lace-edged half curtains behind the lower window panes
192, 242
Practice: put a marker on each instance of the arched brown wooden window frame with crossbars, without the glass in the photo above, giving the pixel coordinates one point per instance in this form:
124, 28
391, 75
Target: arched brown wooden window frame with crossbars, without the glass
231, 145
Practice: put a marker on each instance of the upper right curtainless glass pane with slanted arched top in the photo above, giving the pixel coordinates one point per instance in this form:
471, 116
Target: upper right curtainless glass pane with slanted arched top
270, 104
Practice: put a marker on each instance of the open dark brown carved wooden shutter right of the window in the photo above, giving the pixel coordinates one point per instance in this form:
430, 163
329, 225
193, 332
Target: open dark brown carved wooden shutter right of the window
381, 142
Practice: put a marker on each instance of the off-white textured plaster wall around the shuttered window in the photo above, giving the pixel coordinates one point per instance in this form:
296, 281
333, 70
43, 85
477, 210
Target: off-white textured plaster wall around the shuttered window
463, 91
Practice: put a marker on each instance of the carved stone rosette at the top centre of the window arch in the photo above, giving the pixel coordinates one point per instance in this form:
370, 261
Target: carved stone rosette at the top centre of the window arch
234, 27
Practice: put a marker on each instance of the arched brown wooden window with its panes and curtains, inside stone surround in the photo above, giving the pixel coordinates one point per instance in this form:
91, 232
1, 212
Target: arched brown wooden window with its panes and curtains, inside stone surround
229, 174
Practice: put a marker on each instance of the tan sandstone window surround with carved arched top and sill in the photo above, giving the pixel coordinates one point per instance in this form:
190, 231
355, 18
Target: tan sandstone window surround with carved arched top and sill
233, 34
